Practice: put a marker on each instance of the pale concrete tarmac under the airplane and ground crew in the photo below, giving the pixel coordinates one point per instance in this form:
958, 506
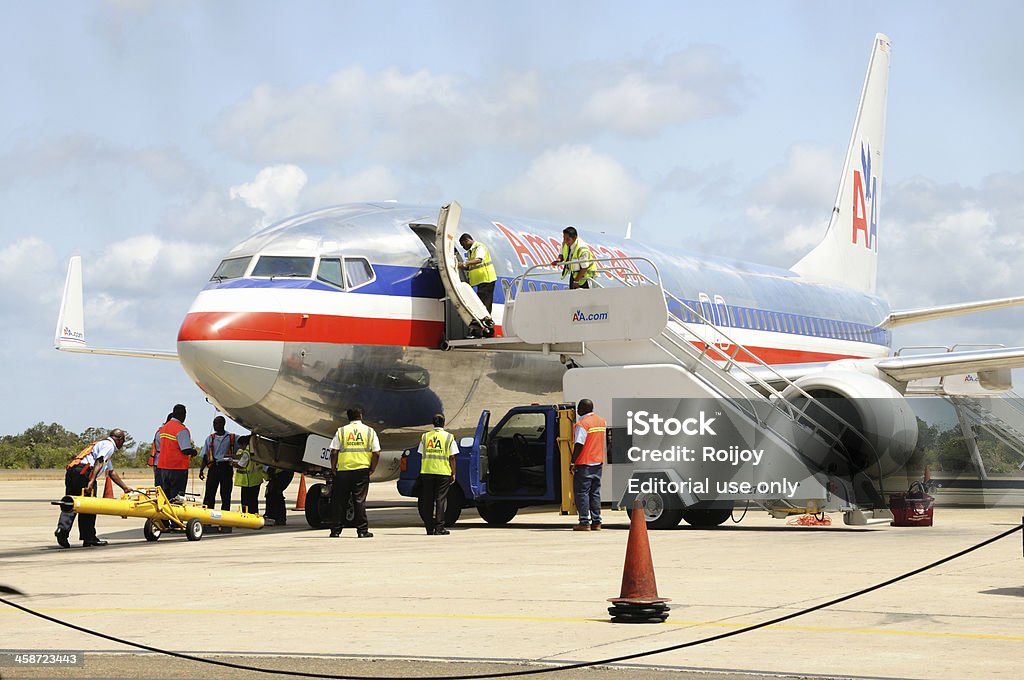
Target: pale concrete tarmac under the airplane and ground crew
530, 597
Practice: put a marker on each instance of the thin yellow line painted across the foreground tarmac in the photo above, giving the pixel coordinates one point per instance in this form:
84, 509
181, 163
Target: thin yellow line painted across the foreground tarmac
374, 615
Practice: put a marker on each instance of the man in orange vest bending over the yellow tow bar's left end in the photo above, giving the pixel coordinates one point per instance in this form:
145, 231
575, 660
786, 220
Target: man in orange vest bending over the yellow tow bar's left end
80, 480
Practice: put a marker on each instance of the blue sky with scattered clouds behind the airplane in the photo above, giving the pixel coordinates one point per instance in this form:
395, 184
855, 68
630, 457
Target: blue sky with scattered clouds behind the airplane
152, 137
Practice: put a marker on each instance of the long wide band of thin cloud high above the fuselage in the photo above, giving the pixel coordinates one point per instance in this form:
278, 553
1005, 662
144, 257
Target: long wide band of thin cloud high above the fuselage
426, 117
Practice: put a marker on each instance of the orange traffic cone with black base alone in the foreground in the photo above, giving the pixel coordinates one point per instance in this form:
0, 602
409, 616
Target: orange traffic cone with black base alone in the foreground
638, 602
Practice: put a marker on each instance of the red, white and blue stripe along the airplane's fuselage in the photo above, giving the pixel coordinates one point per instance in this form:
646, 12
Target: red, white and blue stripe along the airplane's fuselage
404, 307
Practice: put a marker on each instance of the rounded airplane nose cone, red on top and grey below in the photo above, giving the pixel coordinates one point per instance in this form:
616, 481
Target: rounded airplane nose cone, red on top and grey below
233, 357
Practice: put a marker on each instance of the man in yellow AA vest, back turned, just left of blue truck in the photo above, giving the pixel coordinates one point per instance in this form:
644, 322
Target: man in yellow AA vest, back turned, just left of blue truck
355, 454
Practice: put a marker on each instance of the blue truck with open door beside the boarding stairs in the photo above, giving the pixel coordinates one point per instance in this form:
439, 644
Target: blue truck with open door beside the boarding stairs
523, 461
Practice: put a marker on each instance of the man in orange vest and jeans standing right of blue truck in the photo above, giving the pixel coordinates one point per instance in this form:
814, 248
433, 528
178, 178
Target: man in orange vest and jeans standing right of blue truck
588, 459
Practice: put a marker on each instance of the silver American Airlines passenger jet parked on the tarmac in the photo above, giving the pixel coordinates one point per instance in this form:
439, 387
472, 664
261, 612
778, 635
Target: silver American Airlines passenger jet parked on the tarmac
346, 307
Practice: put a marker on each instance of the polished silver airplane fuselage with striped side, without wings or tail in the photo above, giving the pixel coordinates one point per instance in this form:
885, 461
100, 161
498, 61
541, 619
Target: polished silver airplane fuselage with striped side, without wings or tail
345, 308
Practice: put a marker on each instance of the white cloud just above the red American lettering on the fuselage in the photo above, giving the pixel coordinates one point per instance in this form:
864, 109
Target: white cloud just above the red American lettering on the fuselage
574, 184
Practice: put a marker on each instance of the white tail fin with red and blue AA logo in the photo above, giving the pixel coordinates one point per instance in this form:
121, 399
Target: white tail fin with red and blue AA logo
848, 256
